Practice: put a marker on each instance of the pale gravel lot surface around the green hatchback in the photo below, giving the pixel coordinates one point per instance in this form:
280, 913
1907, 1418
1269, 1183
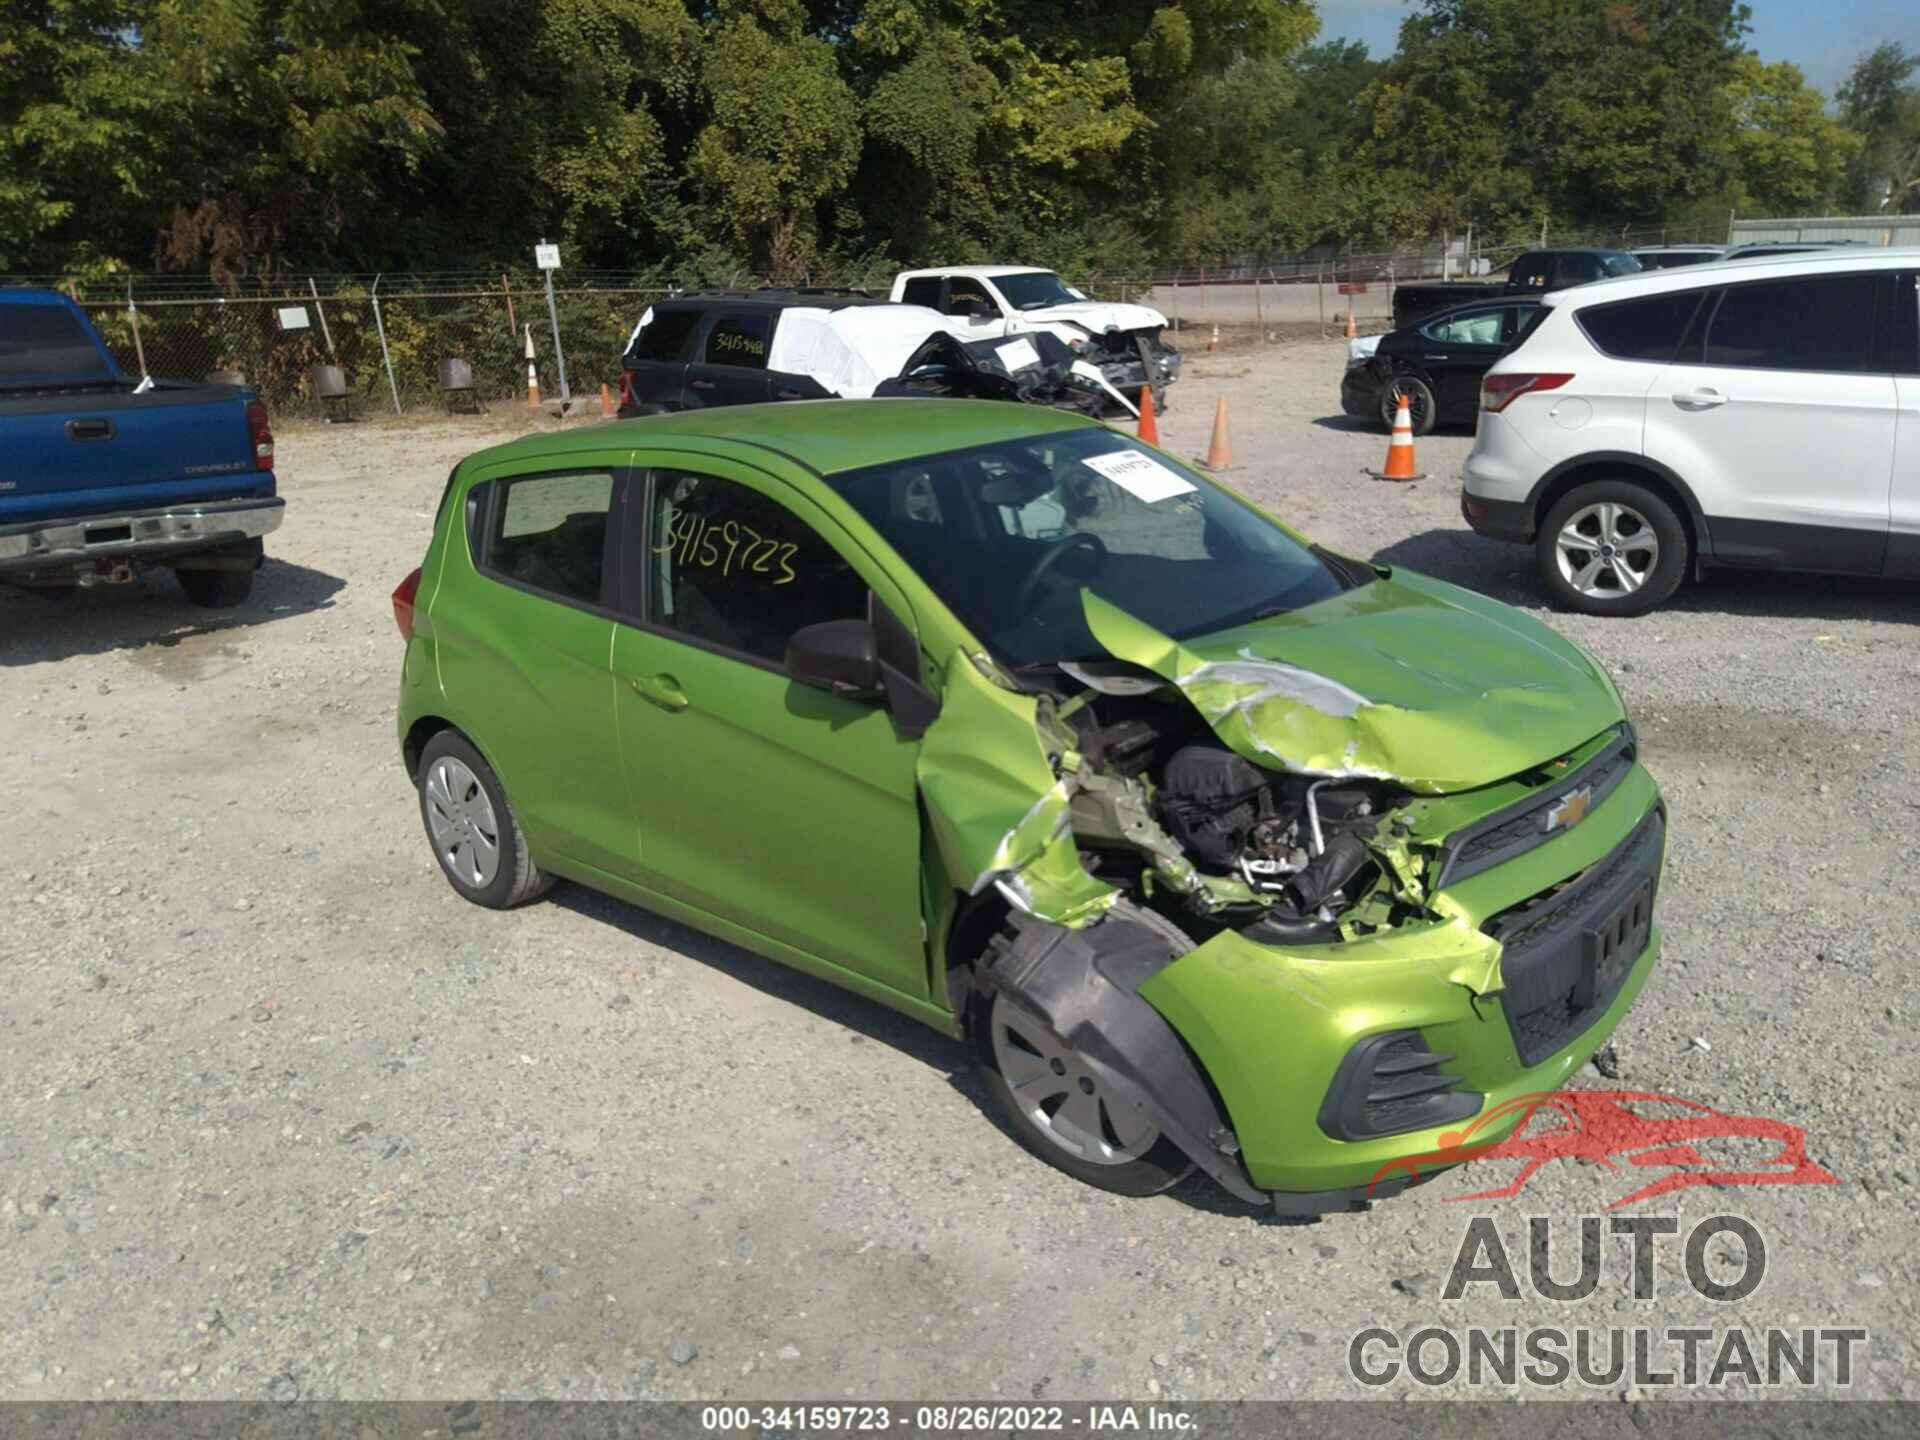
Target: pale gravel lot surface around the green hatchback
283, 1116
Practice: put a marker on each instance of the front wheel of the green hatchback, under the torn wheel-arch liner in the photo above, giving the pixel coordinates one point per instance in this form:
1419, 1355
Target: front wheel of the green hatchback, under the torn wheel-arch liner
1059, 1107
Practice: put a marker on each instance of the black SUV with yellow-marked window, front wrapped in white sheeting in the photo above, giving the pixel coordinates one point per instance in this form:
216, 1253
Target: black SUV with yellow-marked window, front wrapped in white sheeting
711, 348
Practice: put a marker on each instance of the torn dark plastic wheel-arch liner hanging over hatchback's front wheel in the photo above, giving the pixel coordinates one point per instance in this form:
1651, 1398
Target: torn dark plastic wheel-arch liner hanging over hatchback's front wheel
1082, 984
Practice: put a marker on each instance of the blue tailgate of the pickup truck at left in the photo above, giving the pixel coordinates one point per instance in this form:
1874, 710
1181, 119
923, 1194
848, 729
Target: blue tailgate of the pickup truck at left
80, 450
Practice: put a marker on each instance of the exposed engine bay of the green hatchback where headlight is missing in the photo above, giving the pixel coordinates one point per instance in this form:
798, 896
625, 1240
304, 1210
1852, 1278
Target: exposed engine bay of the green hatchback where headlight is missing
1163, 809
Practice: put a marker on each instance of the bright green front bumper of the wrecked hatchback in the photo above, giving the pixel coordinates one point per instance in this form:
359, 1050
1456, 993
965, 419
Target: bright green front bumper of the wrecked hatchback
1276, 1026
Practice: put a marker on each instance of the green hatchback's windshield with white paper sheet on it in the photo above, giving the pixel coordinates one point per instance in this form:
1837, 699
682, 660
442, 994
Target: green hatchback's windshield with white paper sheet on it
1009, 537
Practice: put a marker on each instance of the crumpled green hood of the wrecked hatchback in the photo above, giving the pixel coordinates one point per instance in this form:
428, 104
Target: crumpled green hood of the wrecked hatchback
1408, 679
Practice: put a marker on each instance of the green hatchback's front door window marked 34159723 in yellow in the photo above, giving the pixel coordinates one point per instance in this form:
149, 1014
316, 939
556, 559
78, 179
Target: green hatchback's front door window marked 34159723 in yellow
738, 571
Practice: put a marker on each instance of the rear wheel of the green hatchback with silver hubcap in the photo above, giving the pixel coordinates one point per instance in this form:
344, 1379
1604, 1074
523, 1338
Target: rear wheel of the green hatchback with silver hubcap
471, 827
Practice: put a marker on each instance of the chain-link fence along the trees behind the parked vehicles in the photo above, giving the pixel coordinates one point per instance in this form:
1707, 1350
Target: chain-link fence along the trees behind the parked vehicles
389, 335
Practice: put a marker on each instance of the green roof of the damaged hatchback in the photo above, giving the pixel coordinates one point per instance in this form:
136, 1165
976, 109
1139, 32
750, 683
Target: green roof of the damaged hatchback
825, 437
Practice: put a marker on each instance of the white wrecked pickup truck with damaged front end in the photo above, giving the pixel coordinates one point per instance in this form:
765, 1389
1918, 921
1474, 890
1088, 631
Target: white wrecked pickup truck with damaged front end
1126, 343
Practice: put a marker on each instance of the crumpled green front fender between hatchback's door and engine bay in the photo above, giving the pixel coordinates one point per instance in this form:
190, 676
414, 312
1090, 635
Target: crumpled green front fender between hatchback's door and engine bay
996, 804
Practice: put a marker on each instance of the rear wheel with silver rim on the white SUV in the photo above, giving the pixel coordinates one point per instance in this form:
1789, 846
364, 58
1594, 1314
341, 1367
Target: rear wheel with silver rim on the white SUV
1641, 514
